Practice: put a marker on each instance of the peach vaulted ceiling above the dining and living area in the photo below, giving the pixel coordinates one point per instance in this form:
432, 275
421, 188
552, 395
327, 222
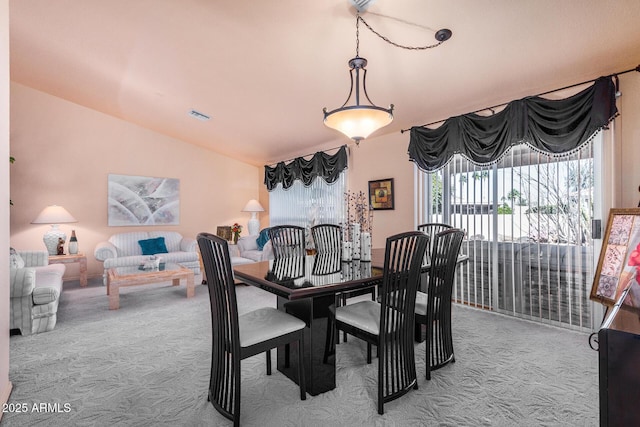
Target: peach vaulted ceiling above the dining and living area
263, 70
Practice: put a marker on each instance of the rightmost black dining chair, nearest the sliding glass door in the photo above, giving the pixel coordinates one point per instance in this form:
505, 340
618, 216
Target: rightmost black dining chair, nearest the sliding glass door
433, 308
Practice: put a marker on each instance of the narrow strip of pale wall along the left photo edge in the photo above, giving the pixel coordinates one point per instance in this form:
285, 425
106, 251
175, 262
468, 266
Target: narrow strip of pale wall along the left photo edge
5, 385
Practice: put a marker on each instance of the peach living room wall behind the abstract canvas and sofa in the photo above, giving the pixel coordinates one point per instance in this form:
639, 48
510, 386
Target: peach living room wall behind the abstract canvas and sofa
64, 153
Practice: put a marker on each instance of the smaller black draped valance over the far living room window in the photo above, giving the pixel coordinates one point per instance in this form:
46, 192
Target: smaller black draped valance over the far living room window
323, 165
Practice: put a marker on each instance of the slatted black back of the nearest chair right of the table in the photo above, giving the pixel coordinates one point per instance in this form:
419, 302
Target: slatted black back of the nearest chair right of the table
404, 254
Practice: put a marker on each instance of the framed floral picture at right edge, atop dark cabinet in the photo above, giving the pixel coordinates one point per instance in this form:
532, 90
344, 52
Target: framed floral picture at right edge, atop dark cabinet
619, 260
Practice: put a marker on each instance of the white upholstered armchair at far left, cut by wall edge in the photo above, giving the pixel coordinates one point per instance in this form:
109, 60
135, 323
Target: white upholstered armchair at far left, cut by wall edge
35, 289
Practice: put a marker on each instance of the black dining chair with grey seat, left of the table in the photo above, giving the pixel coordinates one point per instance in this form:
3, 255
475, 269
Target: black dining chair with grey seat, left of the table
237, 337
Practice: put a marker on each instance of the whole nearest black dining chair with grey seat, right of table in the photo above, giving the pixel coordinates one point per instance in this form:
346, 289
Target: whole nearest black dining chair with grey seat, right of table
388, 323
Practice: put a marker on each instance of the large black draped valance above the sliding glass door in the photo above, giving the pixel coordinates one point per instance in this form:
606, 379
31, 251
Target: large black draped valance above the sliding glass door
550, 126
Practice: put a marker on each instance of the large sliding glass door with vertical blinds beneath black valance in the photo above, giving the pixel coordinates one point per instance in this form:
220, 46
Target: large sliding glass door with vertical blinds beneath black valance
528, 231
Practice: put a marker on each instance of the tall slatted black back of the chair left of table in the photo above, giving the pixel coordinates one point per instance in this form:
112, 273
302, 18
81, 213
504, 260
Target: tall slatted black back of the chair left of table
224, 385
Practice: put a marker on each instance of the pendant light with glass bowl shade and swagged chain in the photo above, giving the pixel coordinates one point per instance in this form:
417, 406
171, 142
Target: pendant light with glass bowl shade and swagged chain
358, 121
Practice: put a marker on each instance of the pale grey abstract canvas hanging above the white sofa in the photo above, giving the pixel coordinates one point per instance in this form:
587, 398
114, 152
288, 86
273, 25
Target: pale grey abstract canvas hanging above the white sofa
142, 200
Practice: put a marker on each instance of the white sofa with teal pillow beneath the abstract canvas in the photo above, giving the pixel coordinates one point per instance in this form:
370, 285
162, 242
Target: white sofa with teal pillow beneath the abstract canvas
126, 249
